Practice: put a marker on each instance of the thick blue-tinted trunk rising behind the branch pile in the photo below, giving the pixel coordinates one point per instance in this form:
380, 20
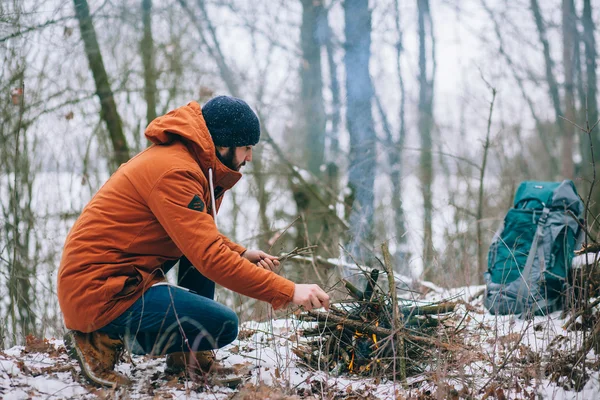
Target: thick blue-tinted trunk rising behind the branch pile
359, 91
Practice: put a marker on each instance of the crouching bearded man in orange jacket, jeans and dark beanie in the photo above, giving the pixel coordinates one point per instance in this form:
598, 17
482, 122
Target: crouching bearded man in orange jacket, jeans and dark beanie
157, 209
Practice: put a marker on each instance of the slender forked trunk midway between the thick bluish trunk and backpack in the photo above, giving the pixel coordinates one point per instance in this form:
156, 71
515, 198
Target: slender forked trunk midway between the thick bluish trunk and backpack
425, 128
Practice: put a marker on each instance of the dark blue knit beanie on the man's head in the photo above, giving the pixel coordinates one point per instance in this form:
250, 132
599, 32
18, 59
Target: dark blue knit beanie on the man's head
231, 122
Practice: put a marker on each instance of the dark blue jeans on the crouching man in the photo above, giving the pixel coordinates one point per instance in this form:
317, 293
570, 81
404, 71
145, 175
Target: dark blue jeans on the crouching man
169, 319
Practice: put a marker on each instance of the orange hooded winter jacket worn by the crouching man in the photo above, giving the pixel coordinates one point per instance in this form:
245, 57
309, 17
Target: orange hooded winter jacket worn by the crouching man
156, 208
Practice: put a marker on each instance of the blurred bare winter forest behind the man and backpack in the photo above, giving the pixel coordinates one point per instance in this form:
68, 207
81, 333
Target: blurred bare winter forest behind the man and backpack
406, 122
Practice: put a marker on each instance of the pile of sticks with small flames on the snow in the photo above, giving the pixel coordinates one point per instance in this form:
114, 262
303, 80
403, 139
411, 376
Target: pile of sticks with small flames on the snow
375, 333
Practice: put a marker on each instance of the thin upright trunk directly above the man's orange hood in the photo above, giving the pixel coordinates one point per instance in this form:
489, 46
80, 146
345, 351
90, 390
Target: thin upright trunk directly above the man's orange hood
147, 50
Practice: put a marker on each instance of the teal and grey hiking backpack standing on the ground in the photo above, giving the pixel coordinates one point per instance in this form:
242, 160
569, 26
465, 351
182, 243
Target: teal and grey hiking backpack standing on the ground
530, 256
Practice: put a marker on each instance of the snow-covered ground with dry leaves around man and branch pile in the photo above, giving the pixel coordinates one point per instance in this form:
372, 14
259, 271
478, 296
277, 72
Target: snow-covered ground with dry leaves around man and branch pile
499, 357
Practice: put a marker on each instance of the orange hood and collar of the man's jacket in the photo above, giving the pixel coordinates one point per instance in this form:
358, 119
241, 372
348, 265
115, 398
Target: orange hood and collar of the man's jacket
187, 124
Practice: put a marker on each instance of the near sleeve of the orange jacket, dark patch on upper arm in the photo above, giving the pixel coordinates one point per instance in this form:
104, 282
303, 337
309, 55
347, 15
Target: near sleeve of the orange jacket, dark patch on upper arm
196, 235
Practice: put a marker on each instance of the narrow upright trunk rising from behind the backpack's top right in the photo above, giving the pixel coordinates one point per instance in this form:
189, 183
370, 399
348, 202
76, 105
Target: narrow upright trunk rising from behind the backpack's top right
568, 17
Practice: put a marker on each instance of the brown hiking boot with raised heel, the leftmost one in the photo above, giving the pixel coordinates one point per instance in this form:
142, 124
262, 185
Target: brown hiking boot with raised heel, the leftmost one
97, 354
